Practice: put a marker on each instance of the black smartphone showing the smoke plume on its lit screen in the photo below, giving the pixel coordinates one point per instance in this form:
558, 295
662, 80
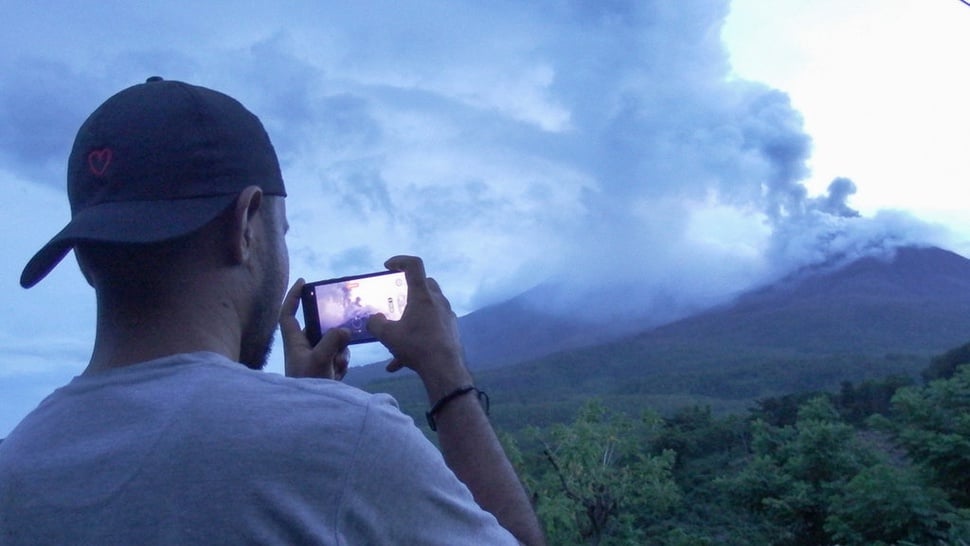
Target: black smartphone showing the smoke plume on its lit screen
348, 302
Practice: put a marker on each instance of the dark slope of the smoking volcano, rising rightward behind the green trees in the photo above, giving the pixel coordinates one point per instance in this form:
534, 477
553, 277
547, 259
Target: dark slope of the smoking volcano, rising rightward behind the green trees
871, 318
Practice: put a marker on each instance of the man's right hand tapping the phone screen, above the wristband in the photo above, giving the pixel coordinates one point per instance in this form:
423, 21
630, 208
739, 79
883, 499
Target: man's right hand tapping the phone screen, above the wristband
426, 338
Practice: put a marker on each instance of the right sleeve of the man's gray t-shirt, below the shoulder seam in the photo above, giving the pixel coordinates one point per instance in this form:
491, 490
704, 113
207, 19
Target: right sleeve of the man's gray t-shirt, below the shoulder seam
400, 491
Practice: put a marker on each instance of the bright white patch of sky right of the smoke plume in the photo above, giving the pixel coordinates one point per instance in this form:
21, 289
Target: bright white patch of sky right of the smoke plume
882, 89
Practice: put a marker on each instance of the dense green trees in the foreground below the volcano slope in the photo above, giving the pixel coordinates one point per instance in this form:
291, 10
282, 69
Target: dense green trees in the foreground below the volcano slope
879, 463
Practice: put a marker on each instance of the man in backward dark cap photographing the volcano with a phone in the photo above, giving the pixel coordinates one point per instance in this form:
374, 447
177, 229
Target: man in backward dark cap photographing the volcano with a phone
178, 223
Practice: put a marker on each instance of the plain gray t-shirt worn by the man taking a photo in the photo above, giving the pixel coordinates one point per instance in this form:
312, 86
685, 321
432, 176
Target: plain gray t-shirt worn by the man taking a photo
197, 449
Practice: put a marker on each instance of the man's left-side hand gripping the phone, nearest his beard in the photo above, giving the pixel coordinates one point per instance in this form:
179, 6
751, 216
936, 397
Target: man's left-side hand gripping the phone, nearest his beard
329, 359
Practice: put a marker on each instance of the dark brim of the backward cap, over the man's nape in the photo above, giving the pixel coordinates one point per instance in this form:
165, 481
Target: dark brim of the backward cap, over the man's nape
125, 222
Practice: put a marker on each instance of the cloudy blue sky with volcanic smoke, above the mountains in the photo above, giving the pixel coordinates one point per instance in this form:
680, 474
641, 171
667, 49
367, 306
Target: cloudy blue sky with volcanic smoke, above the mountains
685, 150
